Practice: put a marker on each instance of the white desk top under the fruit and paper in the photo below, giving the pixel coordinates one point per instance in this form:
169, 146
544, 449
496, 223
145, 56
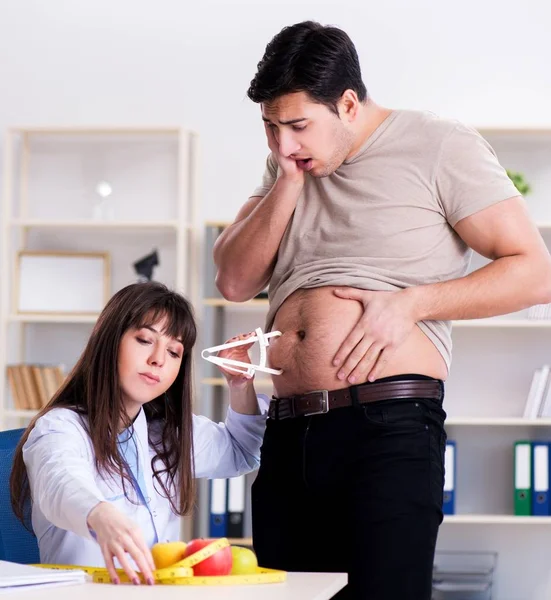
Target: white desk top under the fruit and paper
299, 586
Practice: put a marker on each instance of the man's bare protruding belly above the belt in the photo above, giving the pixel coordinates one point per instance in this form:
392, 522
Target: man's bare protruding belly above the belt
314, 323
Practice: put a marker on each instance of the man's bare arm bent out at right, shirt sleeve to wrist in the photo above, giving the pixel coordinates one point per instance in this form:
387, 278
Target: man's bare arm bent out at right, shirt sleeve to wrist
519, 275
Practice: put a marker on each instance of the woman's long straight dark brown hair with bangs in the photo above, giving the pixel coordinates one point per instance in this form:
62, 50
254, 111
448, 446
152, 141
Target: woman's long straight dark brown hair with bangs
93, 390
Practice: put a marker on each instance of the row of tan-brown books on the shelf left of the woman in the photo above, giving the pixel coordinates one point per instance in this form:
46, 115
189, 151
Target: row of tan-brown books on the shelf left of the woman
33, 386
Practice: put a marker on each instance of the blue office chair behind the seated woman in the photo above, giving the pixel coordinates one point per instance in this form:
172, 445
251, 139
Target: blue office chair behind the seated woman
17, 544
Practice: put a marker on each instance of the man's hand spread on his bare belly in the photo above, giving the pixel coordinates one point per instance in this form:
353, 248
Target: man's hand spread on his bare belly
387, 320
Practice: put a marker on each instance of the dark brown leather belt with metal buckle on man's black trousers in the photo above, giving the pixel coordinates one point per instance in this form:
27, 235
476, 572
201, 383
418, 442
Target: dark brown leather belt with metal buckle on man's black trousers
322, 401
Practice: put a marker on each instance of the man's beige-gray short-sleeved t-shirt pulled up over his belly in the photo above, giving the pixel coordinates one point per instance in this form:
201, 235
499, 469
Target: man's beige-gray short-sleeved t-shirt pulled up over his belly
384, 219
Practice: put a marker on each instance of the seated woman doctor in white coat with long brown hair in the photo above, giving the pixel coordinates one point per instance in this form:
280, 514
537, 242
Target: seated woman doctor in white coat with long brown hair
110, 462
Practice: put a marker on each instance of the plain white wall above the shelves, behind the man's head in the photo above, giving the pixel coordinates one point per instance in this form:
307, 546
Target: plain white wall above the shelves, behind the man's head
174, 61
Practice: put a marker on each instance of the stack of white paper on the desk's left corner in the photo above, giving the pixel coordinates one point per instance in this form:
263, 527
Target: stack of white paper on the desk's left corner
14, 576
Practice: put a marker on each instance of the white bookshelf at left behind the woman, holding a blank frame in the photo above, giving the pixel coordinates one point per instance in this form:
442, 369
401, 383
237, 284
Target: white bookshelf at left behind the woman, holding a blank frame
48, 203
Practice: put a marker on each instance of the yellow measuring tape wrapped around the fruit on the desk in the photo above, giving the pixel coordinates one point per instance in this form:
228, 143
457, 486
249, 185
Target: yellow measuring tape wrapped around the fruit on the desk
181, 573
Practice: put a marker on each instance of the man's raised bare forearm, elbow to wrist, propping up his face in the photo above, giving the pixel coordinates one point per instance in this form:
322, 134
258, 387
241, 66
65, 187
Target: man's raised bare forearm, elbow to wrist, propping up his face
246, 251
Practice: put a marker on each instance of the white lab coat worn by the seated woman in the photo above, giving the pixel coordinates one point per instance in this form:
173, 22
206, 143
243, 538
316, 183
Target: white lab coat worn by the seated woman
65, 484
